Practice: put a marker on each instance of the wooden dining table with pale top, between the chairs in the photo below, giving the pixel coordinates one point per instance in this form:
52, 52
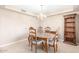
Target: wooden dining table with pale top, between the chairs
45, 37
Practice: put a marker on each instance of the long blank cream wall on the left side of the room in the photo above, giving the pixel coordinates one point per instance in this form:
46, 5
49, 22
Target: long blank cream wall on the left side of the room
14, 25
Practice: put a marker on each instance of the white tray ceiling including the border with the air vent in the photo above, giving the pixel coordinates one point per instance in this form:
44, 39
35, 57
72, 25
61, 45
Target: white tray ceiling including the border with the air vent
46, 9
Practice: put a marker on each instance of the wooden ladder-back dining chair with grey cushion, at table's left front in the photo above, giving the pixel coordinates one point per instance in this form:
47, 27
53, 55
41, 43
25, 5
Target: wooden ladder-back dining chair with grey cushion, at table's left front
33, 39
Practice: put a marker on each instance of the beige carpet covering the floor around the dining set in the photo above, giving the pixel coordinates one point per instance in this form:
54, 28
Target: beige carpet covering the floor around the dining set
23, 47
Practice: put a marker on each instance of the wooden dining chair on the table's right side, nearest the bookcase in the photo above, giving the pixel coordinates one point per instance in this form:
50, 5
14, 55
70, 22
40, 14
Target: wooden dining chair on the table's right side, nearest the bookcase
53, 40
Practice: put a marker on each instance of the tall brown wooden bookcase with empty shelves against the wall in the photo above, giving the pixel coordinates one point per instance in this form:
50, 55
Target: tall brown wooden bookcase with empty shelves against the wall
69, 28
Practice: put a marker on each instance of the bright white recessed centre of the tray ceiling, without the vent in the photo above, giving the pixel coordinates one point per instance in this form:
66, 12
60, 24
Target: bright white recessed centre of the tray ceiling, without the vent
45, 8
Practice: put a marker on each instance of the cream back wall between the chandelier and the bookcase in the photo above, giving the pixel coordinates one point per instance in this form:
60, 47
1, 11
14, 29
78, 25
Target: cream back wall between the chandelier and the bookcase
56, 23
